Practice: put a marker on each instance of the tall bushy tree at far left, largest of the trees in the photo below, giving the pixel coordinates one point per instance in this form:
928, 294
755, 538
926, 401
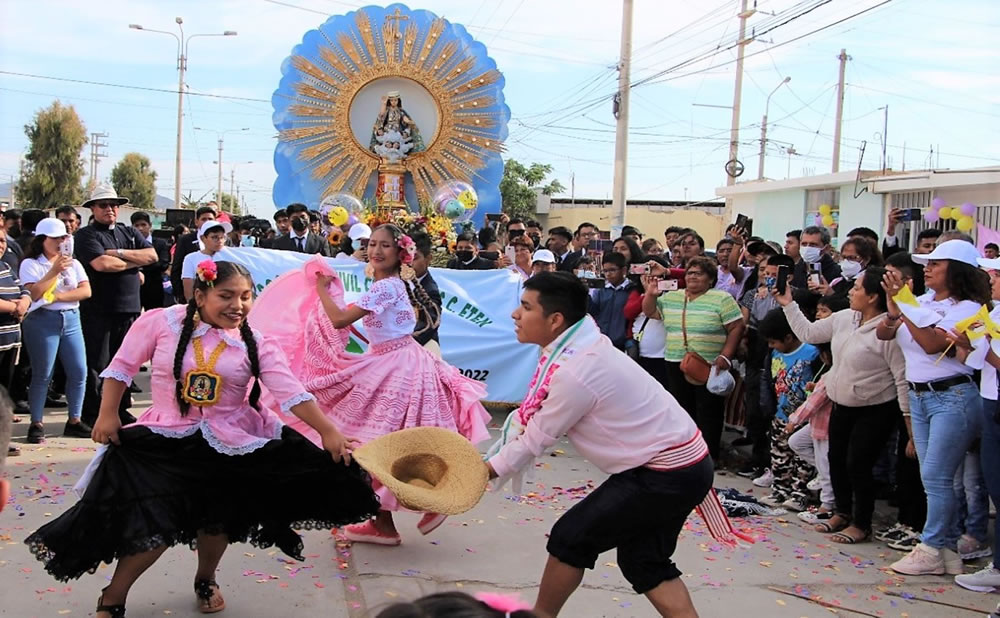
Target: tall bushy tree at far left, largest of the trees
53, 167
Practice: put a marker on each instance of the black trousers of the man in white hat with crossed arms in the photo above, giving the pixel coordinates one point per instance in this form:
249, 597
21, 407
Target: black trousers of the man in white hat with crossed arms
102, 335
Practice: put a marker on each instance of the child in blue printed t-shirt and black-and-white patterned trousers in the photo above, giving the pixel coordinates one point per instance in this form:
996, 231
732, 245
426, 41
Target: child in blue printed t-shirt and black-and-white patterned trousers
791, 366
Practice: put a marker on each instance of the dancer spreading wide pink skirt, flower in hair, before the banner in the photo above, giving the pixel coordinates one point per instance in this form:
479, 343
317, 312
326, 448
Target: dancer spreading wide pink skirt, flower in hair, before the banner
395, 385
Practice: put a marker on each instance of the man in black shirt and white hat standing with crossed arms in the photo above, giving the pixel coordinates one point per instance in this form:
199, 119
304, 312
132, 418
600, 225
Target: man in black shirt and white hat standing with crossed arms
112, 255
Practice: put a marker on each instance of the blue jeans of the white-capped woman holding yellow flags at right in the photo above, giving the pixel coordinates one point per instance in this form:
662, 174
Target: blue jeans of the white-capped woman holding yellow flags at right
945, 424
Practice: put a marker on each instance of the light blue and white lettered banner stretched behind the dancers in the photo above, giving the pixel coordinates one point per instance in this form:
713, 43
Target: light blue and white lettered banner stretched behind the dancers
477, 332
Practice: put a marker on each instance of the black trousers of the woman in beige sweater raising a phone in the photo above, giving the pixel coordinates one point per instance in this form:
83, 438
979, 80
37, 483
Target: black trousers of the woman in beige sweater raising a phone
857, 436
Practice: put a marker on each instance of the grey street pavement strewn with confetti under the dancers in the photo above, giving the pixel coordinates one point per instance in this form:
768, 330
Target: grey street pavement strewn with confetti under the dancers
498, 546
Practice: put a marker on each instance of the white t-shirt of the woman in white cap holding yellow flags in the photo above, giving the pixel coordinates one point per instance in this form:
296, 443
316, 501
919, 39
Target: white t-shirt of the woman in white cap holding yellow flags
924, 367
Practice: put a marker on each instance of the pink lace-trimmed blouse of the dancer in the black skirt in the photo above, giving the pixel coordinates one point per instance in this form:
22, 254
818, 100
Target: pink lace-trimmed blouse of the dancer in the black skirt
232, 426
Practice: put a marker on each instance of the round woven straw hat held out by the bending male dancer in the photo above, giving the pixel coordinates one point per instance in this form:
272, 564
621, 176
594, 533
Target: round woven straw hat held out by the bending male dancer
428, 469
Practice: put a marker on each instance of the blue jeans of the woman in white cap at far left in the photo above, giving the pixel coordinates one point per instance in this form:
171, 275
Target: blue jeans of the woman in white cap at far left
46, 334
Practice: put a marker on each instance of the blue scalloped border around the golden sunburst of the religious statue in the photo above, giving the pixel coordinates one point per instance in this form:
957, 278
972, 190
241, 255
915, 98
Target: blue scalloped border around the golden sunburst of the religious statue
295, 180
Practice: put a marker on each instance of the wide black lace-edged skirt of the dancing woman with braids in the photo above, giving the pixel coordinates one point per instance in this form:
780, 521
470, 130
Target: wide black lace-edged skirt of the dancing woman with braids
153, 491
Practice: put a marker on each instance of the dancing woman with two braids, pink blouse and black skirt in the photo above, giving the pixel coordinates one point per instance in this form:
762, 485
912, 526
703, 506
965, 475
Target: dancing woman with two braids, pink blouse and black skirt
206, 465
